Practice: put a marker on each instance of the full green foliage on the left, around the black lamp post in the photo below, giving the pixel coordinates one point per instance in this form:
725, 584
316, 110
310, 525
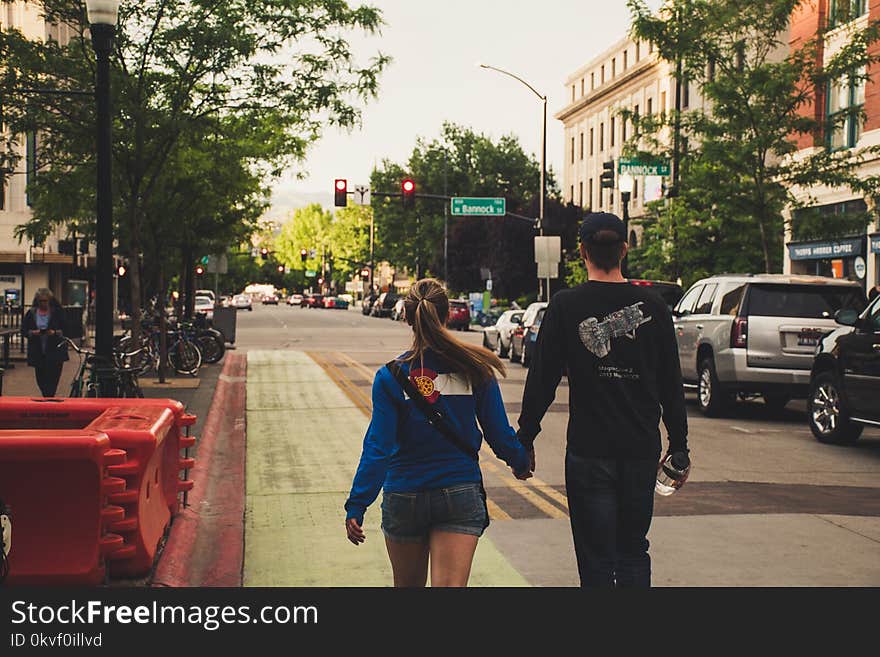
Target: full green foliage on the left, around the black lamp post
210, 101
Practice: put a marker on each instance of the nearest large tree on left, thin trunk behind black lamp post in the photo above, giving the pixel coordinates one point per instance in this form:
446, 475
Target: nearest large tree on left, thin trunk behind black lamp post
283, 64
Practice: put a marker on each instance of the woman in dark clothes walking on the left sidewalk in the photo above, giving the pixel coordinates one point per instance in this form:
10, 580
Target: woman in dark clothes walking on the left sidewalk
43, 327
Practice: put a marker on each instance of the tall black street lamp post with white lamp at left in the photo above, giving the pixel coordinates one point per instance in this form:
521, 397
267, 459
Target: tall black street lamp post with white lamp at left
102, 15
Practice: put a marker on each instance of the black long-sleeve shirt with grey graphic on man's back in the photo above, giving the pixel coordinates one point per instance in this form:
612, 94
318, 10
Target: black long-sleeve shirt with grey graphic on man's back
617, 344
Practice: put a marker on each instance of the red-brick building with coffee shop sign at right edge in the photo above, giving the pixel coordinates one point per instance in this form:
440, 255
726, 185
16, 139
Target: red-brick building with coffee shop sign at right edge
838, 107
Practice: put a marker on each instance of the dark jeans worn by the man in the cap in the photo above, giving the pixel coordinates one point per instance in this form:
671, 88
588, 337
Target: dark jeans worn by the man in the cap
611, 503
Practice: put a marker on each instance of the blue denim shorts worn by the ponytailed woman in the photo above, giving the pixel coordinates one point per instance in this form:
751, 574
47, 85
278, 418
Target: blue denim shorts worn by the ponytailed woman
410, 517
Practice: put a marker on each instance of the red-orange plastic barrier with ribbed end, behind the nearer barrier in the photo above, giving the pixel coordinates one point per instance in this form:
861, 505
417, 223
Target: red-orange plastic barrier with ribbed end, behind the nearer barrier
149, 434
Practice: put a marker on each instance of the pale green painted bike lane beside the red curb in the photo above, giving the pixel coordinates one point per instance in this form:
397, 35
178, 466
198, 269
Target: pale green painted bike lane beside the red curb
305, 429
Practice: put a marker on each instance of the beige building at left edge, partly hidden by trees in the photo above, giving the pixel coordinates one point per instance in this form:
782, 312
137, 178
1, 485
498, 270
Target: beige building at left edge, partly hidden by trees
24, 266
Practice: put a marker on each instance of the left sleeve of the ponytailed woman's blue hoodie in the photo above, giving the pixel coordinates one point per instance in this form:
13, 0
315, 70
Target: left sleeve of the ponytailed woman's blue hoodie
380, 443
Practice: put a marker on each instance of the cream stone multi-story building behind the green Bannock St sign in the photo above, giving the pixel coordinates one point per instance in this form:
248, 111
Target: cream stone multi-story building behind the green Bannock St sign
627, 76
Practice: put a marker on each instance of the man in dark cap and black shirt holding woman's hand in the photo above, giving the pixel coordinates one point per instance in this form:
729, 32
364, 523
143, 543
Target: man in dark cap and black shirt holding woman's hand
617, 344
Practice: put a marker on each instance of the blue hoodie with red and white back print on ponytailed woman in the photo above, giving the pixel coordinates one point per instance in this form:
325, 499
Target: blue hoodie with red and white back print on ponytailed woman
403, 453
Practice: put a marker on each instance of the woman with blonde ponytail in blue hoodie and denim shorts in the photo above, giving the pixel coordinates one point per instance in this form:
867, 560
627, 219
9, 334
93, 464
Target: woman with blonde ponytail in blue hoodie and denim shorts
422, 448
